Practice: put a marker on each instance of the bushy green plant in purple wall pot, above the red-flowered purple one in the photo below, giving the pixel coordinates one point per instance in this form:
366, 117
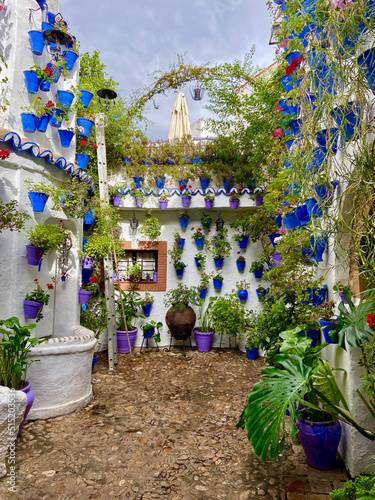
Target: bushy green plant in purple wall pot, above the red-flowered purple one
42, 239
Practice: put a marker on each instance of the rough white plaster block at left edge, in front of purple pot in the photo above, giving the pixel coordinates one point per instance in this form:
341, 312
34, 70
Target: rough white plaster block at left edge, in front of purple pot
12, 409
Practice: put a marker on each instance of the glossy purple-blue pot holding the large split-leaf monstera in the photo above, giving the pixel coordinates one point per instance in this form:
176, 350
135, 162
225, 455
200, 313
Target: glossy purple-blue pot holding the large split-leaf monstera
320, 441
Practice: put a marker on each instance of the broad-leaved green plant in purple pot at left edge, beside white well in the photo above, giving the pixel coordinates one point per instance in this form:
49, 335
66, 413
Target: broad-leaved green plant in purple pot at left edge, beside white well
16, 342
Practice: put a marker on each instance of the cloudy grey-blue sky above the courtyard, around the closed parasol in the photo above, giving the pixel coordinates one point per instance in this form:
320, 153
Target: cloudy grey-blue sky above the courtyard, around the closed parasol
137, 38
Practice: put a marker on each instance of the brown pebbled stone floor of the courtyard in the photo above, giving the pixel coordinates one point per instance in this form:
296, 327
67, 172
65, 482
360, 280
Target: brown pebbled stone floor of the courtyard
163, 426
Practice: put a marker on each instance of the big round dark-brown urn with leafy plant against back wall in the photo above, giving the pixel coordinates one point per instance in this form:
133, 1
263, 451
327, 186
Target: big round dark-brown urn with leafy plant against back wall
180, 317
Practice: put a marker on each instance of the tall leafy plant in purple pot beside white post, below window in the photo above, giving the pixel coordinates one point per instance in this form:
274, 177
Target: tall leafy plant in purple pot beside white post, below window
131, 301
